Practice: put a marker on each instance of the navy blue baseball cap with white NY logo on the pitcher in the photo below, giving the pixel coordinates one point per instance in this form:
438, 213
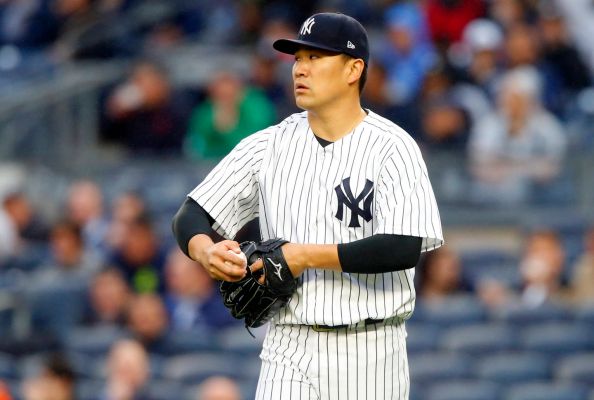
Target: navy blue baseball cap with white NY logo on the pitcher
332, 32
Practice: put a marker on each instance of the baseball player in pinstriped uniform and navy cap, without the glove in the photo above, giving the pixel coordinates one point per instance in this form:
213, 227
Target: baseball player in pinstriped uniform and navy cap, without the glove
349, 190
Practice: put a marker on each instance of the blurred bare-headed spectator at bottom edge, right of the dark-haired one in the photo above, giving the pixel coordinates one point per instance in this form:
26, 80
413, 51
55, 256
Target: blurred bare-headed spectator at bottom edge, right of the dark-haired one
127, 371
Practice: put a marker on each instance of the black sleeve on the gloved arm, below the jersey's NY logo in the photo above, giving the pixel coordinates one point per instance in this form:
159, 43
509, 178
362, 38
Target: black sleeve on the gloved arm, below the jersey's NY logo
380, 253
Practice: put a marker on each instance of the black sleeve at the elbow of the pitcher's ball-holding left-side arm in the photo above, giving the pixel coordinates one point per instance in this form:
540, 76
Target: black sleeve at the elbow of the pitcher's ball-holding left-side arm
190, 220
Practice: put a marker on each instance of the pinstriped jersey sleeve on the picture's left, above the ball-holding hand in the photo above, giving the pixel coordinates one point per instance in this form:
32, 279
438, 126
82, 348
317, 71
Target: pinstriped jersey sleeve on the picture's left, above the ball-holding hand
230, 192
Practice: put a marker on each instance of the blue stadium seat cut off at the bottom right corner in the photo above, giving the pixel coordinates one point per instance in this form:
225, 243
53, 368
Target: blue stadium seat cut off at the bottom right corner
547, 391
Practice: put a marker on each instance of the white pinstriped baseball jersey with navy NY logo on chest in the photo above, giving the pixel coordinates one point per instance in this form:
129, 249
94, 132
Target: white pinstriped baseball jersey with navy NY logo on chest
371, 181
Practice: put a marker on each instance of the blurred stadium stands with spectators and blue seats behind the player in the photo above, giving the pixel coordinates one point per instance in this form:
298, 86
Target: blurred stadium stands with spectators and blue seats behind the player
111, 111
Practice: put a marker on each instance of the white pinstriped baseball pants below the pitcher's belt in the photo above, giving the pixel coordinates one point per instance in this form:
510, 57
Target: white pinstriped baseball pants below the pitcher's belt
369, 363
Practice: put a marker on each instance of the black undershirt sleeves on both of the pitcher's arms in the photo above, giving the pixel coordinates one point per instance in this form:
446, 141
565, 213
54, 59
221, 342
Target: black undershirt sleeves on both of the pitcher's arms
372, 255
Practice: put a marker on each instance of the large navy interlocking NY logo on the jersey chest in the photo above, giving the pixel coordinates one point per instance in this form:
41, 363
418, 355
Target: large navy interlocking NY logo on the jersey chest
346, 198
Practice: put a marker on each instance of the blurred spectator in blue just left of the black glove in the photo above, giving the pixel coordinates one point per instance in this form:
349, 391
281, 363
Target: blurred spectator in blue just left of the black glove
192, 298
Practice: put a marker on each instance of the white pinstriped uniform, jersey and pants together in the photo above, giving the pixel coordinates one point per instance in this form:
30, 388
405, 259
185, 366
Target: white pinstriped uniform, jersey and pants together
283, 175
